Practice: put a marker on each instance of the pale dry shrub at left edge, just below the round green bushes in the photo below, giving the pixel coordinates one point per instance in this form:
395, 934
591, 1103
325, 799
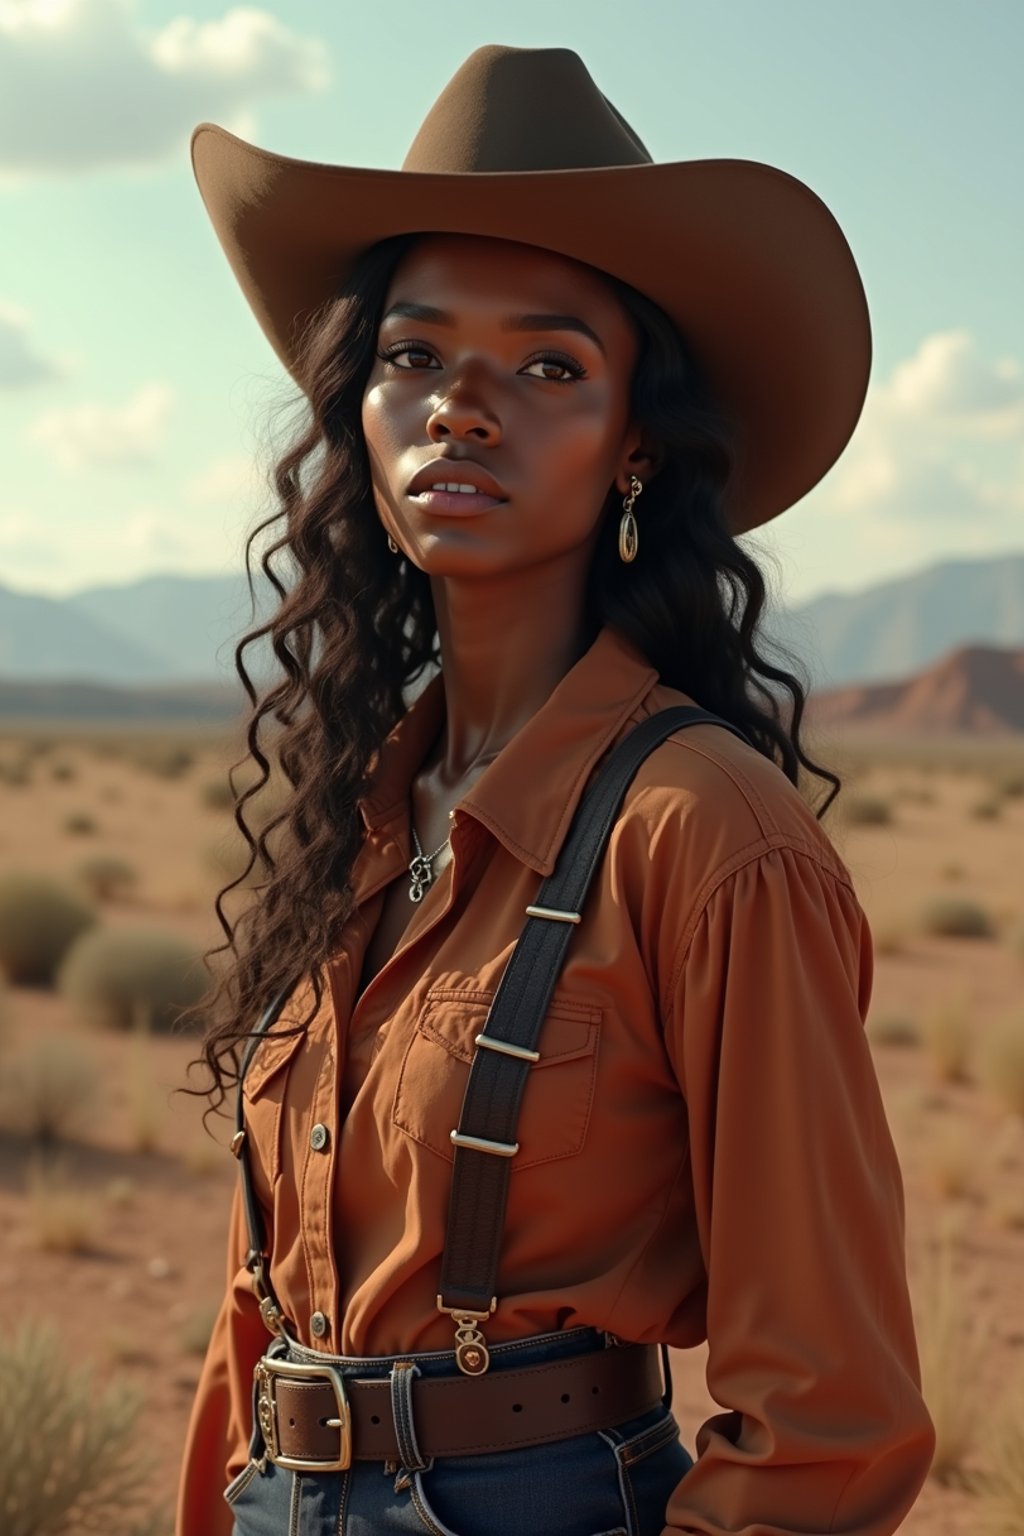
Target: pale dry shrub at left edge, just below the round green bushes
50, 1090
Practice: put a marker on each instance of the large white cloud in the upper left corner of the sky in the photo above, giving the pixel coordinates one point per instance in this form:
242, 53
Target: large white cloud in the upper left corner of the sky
84, 85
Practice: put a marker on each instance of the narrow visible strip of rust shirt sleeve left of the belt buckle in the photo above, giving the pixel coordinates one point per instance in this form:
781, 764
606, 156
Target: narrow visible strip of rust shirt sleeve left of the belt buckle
220, 1426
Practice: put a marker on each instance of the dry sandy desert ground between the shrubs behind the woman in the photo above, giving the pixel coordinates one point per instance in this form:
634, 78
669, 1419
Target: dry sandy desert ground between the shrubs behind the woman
140, 1300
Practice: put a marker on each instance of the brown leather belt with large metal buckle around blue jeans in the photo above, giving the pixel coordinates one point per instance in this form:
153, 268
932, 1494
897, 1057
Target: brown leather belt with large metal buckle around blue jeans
314, 1420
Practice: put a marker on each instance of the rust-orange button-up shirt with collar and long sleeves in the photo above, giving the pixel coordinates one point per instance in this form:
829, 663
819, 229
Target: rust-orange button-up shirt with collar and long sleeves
704, 1067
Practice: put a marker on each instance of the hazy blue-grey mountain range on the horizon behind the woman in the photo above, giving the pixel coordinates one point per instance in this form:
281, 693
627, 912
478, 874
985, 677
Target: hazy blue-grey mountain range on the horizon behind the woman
183, 629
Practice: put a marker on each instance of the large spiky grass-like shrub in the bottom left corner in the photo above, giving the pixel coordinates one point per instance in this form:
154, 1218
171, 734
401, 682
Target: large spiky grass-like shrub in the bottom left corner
71, 1463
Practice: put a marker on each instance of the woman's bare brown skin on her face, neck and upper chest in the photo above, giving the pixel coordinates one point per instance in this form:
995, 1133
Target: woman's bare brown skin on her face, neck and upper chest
507, 583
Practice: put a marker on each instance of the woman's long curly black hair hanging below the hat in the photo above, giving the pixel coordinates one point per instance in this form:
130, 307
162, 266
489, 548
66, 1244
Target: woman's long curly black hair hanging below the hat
355, 627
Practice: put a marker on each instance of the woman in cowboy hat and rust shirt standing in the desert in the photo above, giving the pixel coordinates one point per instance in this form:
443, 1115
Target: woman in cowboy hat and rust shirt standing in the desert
500, 351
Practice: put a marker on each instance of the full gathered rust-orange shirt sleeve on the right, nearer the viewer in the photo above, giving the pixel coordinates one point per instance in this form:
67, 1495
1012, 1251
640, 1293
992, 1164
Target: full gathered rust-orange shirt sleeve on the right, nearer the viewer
801, 1213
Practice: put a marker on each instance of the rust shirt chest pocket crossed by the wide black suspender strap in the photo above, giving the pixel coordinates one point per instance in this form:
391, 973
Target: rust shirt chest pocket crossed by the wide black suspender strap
560, 1091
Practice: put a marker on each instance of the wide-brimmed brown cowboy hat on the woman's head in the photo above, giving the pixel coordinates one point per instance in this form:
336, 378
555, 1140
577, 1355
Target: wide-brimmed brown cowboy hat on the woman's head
521, 145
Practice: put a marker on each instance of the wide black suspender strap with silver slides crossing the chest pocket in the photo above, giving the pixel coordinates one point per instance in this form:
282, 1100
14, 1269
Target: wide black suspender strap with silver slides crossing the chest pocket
507, 1047
